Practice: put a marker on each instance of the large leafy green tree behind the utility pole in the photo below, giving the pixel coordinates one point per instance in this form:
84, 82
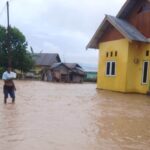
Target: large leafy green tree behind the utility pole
21, 57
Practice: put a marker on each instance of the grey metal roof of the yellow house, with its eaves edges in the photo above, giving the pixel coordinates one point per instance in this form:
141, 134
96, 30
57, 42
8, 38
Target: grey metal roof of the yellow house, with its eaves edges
129, 32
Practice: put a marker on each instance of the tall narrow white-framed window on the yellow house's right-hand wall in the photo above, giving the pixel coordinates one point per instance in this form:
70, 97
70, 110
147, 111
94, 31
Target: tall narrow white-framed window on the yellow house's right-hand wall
145, 72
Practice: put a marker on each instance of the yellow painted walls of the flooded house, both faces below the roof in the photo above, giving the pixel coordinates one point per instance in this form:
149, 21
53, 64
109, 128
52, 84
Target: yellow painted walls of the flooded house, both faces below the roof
129, 66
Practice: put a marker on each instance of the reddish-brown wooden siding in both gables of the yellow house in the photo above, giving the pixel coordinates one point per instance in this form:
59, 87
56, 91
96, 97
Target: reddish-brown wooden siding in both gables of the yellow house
139, 17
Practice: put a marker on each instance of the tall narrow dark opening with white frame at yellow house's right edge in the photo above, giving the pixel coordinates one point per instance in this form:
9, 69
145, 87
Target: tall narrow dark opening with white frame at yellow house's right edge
145, 73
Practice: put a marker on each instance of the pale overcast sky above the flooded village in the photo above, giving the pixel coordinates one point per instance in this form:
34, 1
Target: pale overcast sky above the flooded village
60, 26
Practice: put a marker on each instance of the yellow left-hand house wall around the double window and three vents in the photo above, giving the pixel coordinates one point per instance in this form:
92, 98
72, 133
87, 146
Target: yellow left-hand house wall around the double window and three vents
118, 82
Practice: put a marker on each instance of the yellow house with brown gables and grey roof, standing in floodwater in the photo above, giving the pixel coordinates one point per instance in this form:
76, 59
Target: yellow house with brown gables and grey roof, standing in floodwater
124, 49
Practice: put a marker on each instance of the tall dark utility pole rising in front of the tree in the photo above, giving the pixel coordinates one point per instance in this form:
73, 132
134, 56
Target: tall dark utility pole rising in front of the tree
8, 37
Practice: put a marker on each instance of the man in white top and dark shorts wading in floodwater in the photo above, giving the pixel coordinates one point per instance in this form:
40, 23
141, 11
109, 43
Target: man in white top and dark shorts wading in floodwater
9, 86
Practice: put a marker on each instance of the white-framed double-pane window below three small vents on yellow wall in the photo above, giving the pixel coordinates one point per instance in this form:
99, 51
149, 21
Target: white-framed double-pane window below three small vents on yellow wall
111, 68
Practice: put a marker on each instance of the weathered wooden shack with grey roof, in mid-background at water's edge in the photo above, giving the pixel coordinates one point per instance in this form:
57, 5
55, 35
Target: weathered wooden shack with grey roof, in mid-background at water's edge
67, 72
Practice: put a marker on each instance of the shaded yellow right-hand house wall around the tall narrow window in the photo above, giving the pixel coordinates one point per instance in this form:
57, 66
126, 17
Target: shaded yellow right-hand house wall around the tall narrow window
137, 51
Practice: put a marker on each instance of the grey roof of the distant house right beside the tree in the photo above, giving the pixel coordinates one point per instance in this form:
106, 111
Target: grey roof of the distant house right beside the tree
46, 59
